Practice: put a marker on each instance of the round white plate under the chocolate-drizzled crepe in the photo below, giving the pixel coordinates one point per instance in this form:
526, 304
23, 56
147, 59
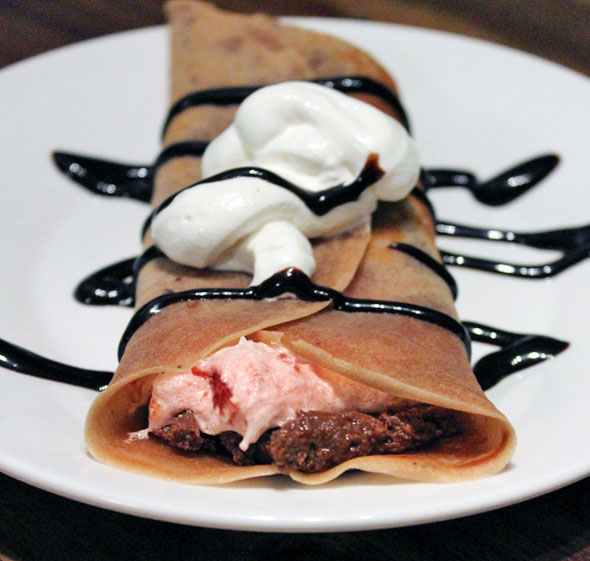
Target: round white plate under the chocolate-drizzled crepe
472, 104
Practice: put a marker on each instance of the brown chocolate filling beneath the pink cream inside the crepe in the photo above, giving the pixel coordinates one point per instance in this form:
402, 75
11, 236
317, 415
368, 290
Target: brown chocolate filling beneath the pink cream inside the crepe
315, 441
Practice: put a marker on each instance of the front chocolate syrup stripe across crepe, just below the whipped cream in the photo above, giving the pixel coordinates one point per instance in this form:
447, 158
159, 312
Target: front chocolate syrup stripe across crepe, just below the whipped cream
293, 281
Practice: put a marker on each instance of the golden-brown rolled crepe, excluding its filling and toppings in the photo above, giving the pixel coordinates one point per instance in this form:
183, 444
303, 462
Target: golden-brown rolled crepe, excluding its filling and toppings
403, 356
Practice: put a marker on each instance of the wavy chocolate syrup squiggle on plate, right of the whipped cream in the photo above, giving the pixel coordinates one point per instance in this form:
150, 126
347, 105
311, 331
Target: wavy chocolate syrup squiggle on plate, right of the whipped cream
499, 190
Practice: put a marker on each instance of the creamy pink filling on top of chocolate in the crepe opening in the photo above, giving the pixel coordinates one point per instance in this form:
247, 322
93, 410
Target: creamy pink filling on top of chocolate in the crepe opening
251, 387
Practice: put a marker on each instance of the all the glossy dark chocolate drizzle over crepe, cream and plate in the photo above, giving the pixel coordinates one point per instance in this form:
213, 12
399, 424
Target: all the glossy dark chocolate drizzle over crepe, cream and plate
116, 284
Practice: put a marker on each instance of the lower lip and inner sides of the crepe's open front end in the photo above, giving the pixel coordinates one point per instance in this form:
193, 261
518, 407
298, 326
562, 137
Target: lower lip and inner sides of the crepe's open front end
483, 449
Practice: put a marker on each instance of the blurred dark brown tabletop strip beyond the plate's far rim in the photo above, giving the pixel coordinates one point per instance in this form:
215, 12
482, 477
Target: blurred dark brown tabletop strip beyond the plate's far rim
558, 30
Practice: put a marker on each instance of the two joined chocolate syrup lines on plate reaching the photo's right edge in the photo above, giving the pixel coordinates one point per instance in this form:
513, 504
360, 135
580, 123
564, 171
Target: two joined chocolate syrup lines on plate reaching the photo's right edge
574, 243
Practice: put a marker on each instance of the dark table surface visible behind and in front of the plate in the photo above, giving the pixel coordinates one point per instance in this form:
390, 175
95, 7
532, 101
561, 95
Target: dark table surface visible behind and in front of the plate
35, 525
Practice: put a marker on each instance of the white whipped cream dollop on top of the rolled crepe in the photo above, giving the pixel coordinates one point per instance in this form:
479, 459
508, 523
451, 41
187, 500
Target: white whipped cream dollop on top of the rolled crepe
312, 136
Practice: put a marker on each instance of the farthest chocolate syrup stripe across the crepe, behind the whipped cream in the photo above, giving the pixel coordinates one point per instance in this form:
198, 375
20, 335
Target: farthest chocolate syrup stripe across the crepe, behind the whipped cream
235, 95
